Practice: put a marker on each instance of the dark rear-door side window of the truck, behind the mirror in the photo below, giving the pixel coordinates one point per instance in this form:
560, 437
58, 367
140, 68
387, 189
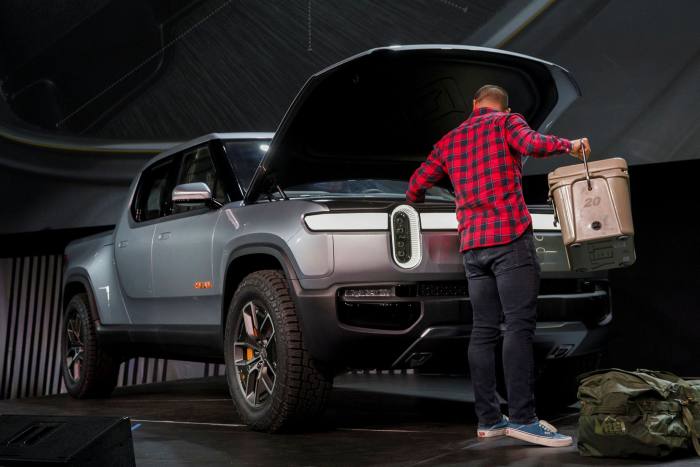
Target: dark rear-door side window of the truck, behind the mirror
153, 193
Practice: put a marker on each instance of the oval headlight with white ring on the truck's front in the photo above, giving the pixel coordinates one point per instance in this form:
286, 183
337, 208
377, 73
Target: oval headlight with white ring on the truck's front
411, 234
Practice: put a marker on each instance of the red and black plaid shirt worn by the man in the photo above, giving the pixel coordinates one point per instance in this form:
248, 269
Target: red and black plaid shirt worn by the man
482, 157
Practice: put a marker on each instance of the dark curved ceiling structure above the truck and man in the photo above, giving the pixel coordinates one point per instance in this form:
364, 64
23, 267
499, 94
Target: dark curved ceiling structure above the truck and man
203, 66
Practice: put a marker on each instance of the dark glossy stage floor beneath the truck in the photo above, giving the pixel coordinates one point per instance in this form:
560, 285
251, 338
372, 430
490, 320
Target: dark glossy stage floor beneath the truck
372, 419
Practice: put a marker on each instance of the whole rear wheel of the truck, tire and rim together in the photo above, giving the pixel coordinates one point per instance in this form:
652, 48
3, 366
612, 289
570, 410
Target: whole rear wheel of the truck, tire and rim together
88, 369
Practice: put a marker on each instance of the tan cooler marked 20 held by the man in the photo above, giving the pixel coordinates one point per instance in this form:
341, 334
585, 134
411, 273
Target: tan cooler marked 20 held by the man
592, 204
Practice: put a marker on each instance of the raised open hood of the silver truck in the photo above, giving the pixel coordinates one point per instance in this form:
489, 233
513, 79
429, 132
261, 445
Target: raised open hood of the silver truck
378, 114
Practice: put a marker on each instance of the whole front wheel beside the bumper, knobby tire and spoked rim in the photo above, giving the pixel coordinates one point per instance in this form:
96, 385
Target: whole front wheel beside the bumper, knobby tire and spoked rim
274, 383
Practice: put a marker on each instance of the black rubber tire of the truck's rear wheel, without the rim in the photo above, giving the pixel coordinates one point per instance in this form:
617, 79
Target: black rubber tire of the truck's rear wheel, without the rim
100, 369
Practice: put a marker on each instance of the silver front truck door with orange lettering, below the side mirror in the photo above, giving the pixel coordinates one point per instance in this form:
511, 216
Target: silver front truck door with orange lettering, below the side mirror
183, 277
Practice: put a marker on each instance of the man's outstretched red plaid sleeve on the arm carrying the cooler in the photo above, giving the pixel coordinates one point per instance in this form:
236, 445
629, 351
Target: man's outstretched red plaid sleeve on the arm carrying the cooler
528, 142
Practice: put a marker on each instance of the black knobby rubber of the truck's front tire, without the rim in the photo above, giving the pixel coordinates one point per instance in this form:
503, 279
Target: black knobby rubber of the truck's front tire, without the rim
301, 389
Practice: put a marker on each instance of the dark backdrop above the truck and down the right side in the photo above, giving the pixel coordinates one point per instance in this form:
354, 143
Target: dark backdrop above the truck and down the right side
82, 81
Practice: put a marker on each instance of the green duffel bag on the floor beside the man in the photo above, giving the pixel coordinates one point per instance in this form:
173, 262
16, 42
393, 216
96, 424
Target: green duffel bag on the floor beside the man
637, 413
